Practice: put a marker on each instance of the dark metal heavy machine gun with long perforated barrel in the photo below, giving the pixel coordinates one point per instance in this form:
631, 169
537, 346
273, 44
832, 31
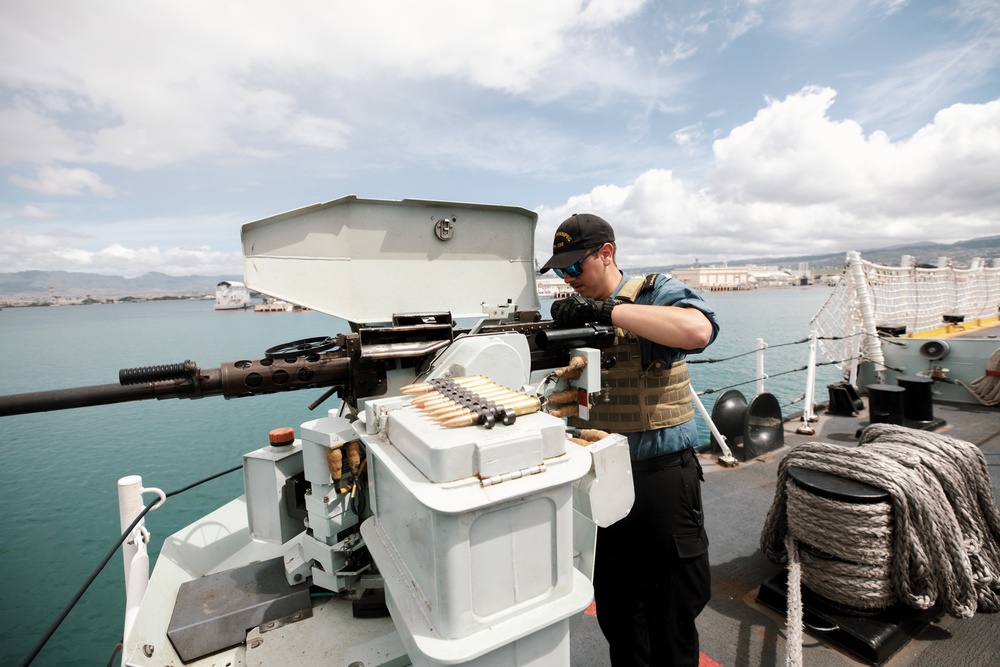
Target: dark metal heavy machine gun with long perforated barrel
353, 365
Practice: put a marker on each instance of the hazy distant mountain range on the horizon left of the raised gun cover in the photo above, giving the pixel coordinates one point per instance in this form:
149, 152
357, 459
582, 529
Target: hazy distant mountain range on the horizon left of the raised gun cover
75, 284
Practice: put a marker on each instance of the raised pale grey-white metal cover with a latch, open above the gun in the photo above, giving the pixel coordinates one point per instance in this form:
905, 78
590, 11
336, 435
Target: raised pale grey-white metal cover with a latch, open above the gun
364, 260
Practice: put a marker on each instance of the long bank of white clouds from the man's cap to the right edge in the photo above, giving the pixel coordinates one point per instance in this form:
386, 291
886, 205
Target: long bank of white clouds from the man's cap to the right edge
793, 181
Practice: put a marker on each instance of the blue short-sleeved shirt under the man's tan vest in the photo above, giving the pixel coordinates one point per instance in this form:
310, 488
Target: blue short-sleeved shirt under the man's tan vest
667, 292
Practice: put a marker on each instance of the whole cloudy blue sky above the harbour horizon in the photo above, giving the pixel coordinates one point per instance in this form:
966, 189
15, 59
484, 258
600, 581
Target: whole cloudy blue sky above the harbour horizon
140, 136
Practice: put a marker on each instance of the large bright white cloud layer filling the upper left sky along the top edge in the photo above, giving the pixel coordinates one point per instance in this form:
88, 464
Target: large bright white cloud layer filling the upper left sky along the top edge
163, 82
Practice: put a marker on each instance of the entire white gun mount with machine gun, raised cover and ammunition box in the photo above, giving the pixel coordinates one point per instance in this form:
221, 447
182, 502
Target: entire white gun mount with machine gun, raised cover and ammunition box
445, 483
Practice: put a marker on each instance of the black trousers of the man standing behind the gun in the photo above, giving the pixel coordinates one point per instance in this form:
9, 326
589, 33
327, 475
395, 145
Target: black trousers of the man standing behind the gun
651, 570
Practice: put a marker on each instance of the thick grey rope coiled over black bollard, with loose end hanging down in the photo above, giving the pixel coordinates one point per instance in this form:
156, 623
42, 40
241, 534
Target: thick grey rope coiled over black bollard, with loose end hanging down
938, 538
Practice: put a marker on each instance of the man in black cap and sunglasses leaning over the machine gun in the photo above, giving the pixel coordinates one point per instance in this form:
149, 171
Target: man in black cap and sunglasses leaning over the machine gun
651, 575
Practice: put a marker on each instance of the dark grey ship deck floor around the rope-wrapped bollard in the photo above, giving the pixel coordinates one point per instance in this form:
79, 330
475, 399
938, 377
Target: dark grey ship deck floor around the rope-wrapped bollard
738, 631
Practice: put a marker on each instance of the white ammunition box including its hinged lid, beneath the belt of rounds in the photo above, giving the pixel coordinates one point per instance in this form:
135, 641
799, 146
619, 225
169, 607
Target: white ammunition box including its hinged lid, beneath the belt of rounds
473, 534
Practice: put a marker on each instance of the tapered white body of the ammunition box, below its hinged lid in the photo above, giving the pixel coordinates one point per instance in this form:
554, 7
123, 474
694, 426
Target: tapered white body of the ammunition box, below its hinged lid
475, 575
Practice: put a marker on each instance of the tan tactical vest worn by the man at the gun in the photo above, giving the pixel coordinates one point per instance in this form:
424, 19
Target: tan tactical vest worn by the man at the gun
641, 398
